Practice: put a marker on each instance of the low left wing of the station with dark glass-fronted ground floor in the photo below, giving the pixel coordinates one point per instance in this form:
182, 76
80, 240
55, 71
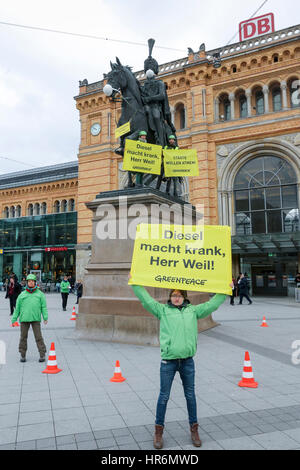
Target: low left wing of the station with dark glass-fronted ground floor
38, 226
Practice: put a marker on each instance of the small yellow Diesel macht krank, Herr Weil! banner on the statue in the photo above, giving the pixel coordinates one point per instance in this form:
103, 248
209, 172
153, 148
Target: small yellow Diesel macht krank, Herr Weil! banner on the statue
140, 157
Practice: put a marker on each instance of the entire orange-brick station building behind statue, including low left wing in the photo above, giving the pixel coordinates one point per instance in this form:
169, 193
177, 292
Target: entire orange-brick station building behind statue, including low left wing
243, 119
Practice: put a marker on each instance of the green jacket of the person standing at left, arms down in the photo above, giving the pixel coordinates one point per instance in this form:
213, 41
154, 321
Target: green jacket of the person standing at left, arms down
30, 306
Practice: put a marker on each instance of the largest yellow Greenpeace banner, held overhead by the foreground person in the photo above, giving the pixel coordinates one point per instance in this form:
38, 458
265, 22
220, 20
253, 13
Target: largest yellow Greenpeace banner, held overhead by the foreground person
196, 258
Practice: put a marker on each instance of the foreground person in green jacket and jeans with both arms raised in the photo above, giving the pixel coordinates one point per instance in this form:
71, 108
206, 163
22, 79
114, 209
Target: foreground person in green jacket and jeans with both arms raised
178, 344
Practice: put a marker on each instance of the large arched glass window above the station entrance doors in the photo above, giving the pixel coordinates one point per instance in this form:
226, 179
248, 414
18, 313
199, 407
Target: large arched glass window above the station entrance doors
265, 193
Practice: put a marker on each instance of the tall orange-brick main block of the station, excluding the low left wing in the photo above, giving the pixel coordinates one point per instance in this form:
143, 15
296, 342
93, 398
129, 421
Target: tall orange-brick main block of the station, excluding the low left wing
243, 119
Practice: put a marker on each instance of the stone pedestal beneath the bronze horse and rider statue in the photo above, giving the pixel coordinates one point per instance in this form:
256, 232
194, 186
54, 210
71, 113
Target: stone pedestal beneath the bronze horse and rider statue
109, 310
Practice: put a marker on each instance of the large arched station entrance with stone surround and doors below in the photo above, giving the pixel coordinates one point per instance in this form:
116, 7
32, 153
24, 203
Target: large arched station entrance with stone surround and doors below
259, 198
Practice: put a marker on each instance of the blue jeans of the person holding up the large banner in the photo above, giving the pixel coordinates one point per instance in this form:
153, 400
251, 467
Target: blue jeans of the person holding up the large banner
168, 369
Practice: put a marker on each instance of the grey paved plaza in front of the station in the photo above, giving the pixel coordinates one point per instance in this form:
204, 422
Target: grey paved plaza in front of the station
80, 408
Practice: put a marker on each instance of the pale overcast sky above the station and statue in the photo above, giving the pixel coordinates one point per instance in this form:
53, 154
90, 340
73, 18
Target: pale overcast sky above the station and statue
40, 71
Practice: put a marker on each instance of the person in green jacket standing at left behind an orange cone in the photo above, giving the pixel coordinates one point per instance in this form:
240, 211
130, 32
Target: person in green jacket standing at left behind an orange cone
31, 306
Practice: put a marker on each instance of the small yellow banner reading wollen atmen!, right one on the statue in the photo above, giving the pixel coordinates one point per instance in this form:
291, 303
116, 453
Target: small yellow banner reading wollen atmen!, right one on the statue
180, 162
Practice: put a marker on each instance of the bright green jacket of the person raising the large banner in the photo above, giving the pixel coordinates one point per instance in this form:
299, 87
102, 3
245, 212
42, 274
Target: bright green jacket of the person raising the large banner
178, 327
